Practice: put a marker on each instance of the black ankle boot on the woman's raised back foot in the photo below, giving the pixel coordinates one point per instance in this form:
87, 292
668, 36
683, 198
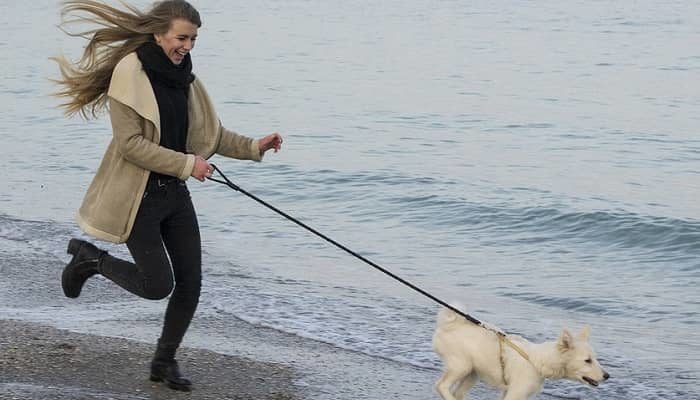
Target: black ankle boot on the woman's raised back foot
85, 263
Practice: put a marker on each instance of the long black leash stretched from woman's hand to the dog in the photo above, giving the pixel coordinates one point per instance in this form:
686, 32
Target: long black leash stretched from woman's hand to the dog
237, 188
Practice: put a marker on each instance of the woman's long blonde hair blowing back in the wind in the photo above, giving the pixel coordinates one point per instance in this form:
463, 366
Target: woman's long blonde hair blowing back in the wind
118, 33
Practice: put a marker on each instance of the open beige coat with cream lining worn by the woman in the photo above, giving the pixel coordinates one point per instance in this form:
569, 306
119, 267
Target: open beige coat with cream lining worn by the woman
114, 196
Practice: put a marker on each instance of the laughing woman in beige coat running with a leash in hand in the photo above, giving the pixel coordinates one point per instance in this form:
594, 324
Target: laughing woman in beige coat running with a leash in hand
137, 64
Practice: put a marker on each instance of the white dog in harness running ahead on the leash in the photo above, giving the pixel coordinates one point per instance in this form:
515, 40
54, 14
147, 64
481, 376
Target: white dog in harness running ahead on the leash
471, 353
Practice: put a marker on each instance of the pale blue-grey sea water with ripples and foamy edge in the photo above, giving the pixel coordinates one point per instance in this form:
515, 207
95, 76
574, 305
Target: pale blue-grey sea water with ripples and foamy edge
537, 161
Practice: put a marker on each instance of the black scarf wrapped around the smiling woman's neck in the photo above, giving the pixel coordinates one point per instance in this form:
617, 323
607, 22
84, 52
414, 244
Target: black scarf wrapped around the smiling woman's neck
158, 66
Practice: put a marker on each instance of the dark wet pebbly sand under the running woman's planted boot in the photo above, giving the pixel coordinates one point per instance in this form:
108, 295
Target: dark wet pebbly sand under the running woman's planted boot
40, 362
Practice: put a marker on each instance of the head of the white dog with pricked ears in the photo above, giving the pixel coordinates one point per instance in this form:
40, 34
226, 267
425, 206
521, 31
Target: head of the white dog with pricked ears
579, 358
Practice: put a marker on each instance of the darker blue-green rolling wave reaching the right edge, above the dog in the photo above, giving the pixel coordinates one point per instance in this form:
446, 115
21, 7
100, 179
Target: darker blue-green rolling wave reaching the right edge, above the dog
553, 223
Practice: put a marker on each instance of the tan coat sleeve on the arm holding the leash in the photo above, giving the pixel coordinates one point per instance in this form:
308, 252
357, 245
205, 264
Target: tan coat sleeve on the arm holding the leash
128, 130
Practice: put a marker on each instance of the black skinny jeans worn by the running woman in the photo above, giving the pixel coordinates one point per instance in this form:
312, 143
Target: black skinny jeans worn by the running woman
166, 221
